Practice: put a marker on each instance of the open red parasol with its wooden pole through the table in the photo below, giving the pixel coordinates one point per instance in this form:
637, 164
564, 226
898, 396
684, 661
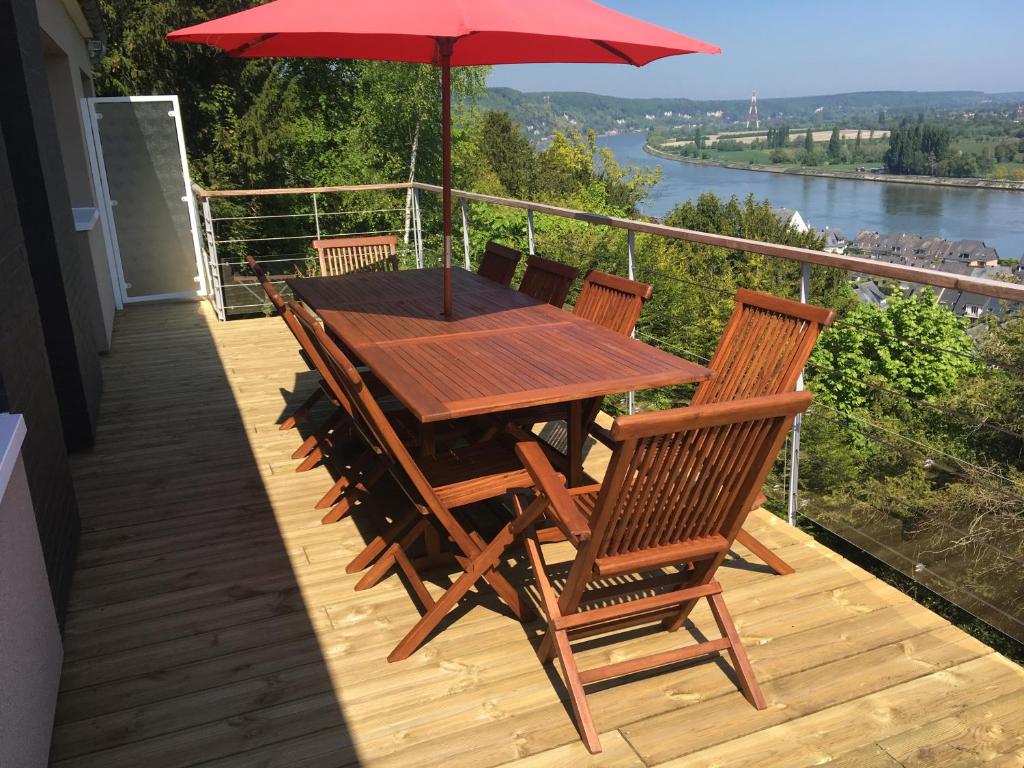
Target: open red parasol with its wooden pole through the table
445, 33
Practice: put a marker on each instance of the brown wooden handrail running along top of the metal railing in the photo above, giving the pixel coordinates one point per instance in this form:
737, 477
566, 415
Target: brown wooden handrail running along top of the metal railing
934, 278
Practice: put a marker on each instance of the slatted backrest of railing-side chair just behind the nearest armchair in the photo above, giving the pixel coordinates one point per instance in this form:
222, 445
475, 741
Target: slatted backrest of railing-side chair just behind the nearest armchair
764, 348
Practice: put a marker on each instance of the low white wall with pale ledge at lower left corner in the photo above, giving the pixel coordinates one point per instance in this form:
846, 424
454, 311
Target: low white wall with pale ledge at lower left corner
31, 652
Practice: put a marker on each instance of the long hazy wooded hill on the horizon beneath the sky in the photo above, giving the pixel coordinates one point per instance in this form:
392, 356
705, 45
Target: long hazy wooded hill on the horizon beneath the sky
543, 113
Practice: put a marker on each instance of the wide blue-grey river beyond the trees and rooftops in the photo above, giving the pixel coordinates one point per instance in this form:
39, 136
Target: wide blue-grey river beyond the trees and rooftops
993, 216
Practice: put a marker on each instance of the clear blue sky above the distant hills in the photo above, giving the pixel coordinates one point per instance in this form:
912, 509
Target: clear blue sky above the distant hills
808, 48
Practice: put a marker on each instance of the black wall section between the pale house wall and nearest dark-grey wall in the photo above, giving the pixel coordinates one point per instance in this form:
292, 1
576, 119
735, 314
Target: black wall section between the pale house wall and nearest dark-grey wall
64, 283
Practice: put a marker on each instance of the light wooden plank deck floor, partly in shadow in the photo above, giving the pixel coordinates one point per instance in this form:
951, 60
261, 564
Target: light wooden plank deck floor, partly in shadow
212, 622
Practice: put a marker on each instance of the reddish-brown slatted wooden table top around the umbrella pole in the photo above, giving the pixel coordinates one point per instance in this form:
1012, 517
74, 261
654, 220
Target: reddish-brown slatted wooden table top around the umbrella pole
501, 351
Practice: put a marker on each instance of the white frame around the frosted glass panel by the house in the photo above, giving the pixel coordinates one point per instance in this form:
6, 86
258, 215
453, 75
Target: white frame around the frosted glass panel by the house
114, 251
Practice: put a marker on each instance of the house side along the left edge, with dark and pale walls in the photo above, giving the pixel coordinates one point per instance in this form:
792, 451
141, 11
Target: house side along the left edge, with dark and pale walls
57, 318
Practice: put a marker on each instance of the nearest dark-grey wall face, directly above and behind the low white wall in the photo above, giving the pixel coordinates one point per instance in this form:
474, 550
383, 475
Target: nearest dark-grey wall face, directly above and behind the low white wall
27, 389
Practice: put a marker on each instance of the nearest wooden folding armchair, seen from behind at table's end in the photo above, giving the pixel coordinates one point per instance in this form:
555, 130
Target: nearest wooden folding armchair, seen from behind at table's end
677, 491
